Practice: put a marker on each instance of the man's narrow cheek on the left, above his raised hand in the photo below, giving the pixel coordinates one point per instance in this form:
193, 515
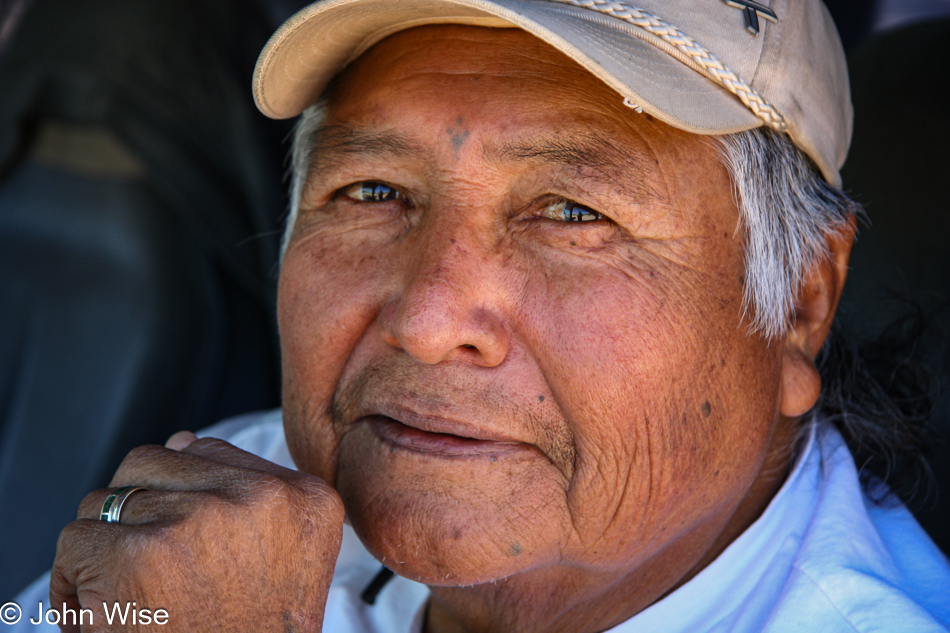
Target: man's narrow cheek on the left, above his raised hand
328, 296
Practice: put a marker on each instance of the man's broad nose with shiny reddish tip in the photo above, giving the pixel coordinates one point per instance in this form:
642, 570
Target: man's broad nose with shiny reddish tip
449, 306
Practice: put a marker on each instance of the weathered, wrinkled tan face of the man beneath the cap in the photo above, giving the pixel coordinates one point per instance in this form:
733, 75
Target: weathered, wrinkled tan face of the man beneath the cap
510, 315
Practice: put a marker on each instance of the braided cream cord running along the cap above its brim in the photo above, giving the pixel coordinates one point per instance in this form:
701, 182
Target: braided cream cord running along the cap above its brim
695, 56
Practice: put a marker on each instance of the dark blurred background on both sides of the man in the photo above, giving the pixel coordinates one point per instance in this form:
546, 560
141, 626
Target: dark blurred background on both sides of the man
141, 199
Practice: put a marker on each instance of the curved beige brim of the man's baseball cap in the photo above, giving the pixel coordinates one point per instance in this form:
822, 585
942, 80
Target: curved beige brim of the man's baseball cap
319, 41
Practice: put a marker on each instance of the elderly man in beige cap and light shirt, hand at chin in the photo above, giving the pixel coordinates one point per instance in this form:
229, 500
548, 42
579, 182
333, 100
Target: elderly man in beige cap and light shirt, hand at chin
554, 284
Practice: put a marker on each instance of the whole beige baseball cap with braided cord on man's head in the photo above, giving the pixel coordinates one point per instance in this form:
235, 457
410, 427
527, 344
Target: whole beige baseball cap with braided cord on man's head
704, 66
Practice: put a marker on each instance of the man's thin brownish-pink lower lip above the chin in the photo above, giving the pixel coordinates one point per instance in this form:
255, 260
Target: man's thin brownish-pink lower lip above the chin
439, 444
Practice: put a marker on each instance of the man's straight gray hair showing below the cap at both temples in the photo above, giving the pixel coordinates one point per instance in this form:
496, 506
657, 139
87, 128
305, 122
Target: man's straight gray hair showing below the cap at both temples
787, 212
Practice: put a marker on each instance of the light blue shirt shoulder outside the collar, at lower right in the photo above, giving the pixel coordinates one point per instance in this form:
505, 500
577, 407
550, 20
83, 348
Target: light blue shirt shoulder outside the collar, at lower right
863, 566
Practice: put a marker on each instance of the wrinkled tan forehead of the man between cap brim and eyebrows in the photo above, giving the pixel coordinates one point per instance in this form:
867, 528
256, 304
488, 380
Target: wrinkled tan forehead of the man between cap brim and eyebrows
519, 96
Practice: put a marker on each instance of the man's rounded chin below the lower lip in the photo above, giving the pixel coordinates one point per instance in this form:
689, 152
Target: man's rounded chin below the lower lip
453, 524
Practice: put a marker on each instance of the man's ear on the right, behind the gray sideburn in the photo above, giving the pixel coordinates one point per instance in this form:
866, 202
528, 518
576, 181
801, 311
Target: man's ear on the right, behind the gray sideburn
815, 309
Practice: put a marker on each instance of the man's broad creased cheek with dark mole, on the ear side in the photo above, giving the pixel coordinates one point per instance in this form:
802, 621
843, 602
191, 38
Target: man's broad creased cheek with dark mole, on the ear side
647, 365
